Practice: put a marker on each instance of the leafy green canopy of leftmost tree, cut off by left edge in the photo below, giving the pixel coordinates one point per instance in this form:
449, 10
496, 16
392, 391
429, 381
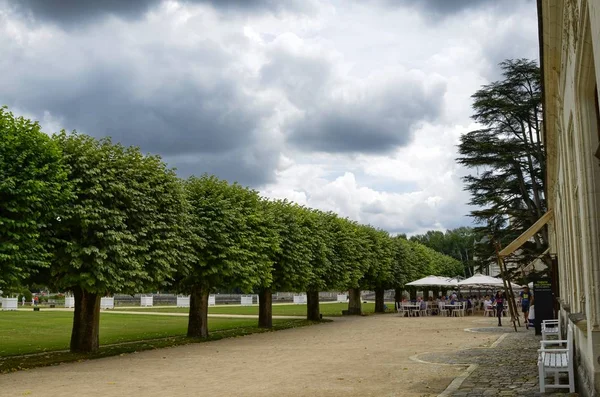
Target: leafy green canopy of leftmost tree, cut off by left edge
33, 188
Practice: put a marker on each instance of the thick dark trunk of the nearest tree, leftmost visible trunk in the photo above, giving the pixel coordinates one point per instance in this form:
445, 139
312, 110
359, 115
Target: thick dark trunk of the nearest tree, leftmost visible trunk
85, 336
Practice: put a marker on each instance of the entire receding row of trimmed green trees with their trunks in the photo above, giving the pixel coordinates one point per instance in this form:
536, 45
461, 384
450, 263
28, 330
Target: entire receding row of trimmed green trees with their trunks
94, 217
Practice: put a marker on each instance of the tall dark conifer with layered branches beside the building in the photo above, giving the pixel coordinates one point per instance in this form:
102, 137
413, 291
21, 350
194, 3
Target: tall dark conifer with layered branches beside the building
508, 161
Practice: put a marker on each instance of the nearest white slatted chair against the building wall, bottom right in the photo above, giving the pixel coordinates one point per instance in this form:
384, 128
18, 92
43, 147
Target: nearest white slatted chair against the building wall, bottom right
556, 361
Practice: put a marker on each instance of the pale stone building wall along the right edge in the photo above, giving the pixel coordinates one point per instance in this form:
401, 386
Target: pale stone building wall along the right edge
571, 63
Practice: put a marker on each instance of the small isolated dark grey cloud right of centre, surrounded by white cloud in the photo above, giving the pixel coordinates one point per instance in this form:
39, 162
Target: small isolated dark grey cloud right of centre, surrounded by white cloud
377, 123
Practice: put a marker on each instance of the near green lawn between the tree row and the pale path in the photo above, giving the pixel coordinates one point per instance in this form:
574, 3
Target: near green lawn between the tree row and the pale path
34, 332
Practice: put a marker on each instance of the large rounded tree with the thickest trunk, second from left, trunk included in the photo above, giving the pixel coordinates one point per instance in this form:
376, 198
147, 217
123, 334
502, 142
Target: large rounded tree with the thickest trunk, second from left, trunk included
120, 232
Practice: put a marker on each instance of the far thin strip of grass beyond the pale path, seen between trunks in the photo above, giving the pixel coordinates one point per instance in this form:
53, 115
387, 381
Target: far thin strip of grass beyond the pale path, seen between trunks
327, 309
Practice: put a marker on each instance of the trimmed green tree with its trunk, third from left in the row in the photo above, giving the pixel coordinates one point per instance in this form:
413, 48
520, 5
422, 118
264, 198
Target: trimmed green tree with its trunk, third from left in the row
233, 243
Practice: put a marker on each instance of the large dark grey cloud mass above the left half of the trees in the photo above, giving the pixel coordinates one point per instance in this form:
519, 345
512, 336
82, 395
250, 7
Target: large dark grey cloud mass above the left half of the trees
174, 103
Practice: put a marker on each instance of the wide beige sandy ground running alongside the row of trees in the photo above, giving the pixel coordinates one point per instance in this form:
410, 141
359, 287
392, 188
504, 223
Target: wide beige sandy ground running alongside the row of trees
355, 356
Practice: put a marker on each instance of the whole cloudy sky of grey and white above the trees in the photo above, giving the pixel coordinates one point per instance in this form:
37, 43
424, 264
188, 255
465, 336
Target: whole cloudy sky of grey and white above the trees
354, 106
